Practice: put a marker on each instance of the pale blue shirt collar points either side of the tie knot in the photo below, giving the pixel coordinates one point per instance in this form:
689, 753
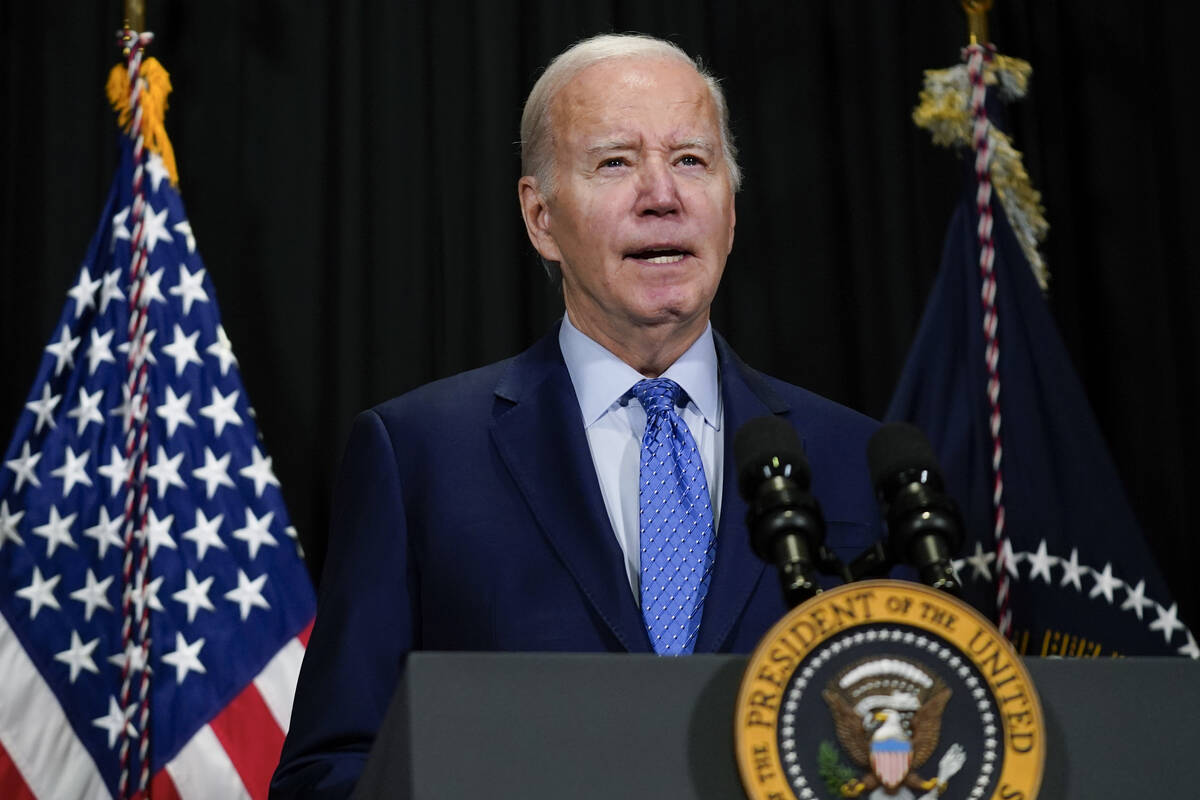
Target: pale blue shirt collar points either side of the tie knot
602, 380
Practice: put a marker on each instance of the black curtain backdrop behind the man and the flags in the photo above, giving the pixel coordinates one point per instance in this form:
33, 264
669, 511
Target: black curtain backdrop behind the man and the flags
351, 173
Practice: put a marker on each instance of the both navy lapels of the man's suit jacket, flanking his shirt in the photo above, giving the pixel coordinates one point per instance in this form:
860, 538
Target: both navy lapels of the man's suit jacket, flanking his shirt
539, 434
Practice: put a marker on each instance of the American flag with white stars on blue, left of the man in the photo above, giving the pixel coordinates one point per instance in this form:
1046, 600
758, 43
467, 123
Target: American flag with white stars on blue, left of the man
229, 597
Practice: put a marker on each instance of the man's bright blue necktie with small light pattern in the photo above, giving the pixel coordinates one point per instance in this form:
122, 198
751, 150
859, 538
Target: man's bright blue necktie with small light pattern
676, 520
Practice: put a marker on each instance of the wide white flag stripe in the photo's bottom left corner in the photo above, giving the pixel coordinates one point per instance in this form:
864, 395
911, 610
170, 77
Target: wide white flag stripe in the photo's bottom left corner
37, 732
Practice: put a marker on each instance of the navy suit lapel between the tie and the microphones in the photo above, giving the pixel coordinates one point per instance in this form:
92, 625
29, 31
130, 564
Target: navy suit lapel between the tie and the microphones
736, 569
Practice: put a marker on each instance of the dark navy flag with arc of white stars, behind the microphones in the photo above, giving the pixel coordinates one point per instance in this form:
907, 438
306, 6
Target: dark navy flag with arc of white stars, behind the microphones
1083, 580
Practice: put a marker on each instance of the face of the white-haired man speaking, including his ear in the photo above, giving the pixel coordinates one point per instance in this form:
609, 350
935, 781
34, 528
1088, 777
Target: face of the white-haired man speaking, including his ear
643, 216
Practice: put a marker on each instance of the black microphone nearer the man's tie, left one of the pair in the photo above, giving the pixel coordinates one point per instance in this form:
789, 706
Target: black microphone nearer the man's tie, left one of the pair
785, 522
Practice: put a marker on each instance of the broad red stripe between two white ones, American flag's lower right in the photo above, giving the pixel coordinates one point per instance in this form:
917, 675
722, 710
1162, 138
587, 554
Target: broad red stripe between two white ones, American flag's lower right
253, 739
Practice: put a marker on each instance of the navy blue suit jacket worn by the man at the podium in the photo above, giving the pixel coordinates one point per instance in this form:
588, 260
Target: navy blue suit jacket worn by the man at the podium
469, 518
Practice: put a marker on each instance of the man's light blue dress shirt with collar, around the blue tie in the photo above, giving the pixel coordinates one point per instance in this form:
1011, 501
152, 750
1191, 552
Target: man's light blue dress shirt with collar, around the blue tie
615, 423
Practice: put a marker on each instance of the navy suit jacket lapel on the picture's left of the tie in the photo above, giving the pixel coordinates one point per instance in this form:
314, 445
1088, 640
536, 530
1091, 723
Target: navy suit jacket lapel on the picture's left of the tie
542, 441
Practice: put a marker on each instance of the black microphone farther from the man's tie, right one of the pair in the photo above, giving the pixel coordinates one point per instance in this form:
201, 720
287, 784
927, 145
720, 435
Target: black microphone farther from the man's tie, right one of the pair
925, 525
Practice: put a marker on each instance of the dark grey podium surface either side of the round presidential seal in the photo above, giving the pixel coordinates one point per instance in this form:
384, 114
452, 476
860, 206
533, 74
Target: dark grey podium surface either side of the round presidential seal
609, 727
